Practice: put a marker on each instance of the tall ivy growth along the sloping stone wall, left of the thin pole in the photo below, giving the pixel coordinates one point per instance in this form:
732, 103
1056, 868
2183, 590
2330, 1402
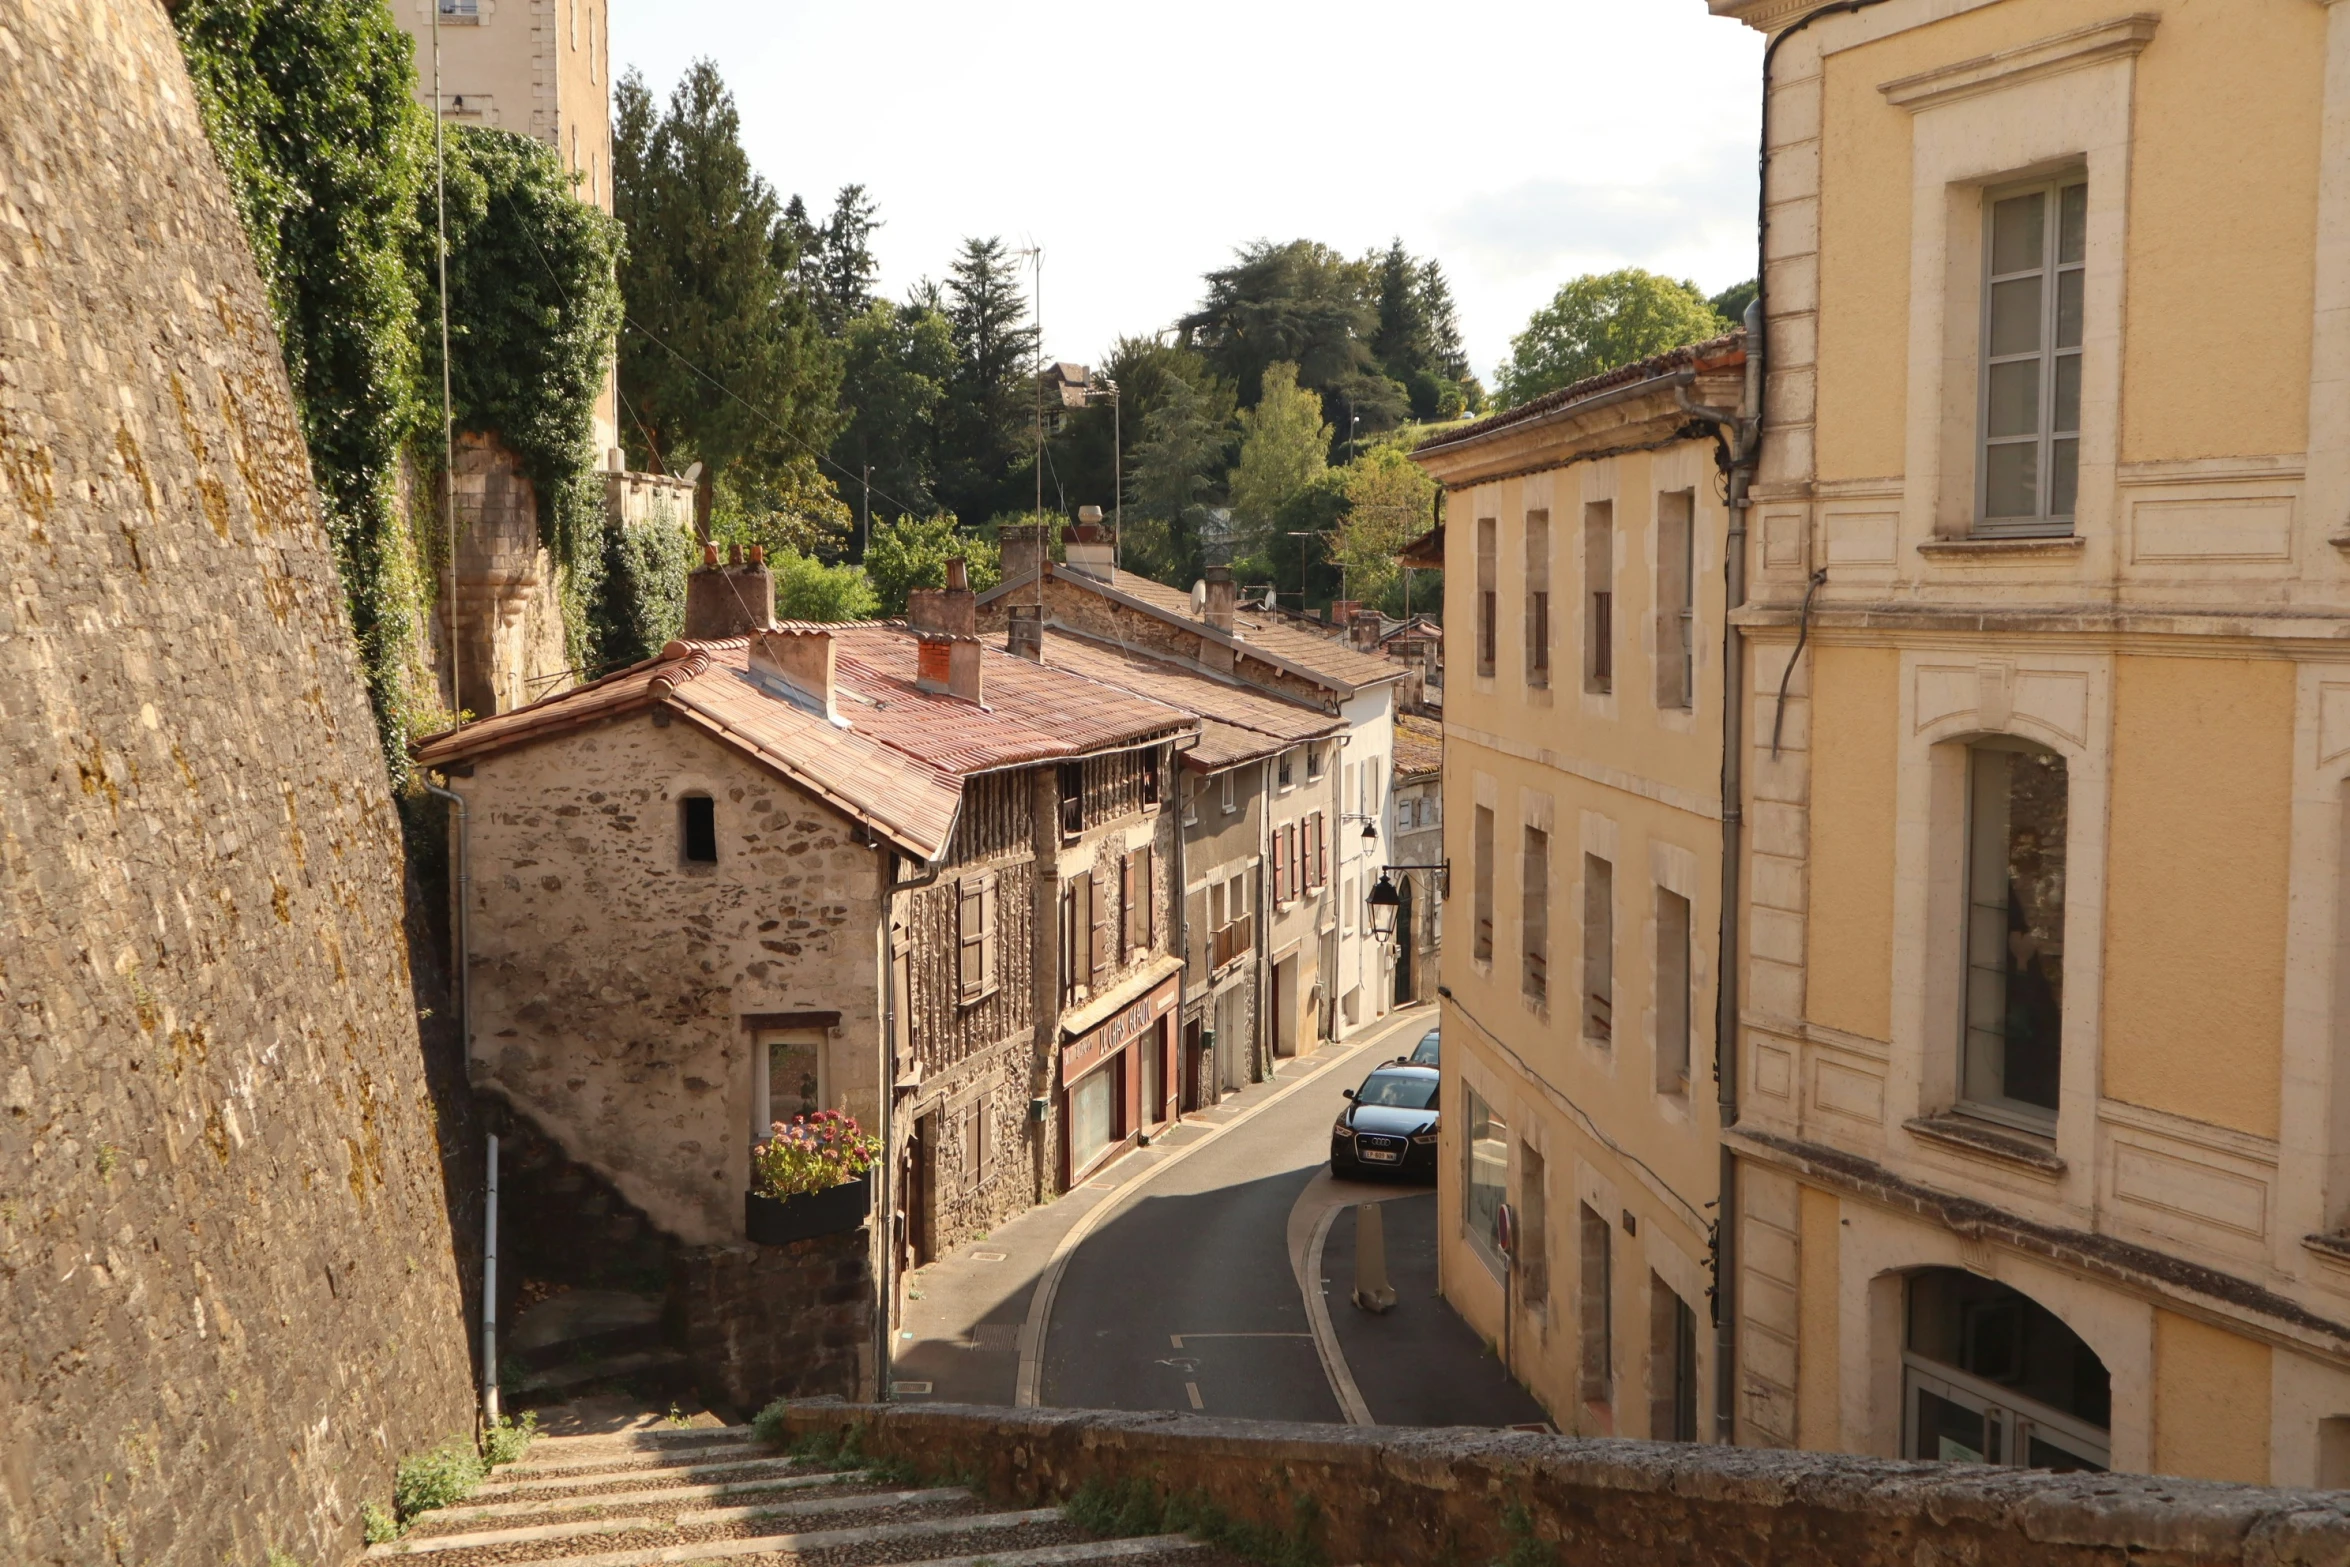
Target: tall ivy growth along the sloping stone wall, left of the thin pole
311, 107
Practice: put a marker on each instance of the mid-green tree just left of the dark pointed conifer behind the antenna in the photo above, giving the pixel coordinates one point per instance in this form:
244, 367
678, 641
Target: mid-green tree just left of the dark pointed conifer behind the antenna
897, 365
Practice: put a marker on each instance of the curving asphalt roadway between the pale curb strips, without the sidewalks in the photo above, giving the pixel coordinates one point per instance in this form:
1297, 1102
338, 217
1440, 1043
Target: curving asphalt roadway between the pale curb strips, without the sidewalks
1186, 1300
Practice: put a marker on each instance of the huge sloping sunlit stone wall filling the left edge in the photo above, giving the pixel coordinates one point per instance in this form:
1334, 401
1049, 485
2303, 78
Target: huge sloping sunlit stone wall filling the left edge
227, 1263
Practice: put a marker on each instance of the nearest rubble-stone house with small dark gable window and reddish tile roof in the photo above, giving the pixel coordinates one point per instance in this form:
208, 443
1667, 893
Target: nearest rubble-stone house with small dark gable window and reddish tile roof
873, 868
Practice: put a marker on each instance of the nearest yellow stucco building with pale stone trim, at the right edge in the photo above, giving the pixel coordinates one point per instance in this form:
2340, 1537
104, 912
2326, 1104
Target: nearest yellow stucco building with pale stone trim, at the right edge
2043, 1141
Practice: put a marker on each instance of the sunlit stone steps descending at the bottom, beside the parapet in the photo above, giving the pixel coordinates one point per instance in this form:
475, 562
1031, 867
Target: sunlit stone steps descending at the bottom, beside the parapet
718, 1493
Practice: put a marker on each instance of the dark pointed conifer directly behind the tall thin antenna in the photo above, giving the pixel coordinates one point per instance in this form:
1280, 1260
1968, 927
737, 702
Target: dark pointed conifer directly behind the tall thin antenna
986, 429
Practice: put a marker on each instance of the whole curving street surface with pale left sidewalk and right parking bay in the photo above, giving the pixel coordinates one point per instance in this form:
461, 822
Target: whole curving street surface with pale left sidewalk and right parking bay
1179, 1282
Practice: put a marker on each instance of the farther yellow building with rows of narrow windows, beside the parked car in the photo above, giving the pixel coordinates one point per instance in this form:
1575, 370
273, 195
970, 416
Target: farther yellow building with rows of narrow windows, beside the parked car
1583, 826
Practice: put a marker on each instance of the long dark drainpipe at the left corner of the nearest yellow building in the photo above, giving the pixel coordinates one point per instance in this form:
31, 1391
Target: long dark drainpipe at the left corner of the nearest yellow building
1726, 1011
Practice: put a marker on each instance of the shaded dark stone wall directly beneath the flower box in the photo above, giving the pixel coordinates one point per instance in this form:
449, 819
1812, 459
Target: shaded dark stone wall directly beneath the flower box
781, 1321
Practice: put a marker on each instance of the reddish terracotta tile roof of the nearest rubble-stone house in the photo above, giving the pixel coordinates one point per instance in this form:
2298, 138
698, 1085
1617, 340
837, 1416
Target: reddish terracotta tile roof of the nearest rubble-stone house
904, 755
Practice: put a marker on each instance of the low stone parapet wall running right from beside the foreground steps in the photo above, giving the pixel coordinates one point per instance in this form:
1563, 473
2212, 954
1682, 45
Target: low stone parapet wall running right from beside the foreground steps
1404, 1495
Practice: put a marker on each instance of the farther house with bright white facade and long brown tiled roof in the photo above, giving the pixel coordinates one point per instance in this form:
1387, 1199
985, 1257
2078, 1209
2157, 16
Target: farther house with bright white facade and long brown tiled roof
1329, 812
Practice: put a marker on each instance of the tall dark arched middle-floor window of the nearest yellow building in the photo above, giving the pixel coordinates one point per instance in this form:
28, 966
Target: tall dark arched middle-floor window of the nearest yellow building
2015, 934
